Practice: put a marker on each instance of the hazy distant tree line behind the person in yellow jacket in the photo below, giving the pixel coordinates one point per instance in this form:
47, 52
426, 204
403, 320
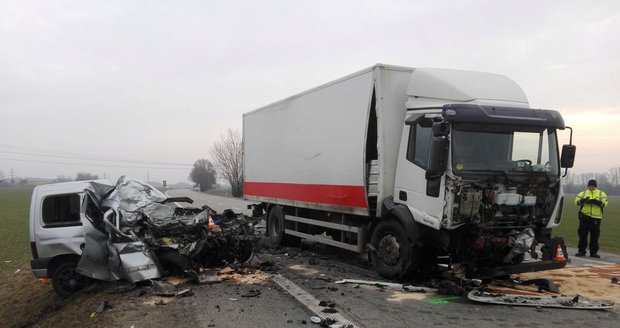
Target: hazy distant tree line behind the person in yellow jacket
609, 181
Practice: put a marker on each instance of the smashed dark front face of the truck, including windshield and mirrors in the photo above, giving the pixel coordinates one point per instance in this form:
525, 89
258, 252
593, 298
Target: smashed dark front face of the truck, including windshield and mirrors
503, 189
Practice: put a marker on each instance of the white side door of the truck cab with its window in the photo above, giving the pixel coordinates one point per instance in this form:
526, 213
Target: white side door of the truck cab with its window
410, 187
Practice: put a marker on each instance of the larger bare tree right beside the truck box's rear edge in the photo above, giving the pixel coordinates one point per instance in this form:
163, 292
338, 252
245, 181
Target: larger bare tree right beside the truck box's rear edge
227, 154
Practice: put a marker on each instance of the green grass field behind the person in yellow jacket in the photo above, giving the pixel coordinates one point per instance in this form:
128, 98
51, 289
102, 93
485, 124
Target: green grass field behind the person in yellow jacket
610, 226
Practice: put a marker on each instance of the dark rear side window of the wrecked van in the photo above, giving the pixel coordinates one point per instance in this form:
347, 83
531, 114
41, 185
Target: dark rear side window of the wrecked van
61, 210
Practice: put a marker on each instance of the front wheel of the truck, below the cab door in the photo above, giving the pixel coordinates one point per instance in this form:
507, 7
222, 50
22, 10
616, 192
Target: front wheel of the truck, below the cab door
392, 257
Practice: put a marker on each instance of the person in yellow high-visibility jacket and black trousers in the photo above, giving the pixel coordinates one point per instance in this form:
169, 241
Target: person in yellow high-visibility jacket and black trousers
591, 203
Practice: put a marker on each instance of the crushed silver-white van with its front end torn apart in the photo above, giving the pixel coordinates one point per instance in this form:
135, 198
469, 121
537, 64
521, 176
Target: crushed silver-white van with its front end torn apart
126, 231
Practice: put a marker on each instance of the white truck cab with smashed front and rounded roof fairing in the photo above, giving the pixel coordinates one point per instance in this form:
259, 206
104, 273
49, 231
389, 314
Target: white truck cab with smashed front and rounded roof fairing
484, 169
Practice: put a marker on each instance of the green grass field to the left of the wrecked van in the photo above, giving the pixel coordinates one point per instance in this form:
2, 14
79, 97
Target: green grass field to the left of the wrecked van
14, 243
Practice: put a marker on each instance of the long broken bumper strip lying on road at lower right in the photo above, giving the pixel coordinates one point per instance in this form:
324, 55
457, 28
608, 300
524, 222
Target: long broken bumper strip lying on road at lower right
577, 302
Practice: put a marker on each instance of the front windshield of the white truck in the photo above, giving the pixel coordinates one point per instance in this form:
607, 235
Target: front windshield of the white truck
511, 151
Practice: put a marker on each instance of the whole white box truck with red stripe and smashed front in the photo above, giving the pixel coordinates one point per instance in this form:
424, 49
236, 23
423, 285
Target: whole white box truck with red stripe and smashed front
412, 165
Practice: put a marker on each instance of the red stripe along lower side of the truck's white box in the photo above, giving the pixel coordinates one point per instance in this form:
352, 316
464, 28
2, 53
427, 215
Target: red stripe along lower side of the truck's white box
352, 196
